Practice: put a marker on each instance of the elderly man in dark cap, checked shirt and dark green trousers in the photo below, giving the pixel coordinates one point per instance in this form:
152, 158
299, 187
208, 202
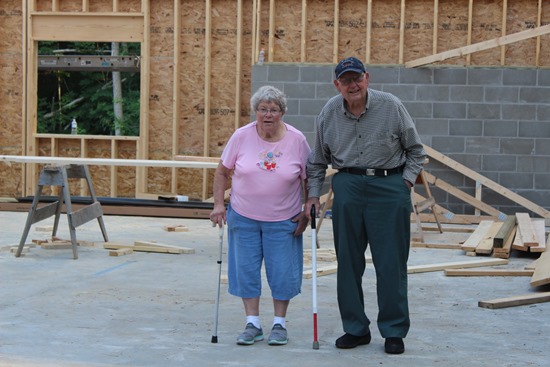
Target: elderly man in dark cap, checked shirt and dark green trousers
370, 138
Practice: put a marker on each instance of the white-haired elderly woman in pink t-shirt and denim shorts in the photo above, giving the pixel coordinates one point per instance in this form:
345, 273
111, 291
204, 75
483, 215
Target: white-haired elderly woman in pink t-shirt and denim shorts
266, 162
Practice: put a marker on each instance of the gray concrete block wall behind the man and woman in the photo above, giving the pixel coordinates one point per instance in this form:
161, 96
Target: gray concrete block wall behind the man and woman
495, 121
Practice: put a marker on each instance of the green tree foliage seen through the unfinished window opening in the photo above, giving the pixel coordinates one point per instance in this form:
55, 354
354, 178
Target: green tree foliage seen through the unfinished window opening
86, 96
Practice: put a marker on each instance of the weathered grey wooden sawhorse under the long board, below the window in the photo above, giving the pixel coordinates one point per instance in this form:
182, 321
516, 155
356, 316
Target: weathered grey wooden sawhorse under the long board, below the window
59, 176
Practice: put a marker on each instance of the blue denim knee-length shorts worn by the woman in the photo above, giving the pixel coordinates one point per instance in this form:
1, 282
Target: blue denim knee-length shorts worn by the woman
252, 242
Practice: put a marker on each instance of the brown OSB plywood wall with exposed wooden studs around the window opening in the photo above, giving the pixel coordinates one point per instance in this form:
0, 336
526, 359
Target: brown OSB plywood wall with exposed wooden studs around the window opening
195, 111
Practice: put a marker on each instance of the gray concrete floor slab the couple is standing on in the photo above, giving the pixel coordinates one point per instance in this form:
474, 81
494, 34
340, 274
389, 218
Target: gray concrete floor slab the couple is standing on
149, 309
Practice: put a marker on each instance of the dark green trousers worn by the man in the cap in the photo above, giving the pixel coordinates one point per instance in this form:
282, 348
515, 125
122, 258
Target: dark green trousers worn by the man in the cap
375, 211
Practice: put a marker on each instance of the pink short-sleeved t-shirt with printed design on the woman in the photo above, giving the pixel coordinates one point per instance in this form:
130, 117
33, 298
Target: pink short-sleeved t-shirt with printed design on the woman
266, 182
